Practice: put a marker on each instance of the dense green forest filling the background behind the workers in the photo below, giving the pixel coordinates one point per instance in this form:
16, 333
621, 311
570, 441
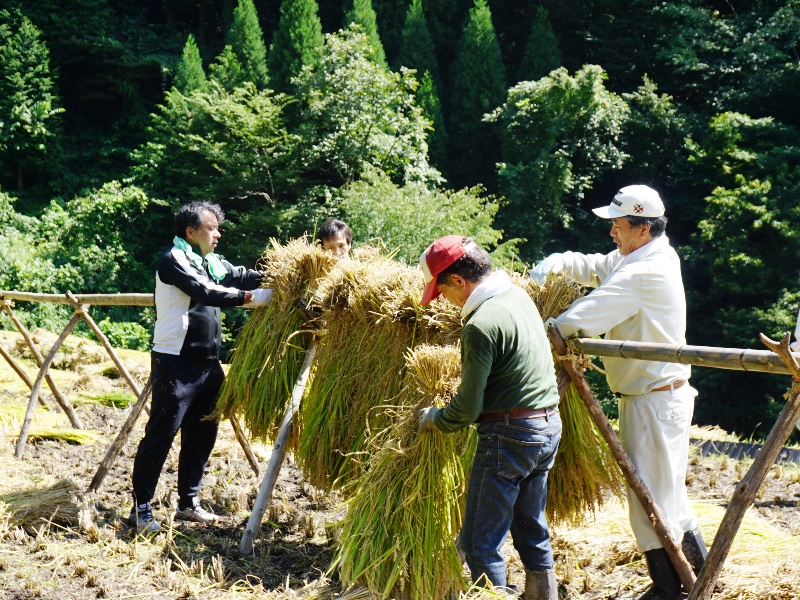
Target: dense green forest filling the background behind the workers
410, 119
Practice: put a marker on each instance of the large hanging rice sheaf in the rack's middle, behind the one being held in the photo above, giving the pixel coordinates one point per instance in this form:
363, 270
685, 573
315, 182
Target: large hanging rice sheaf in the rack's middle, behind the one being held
371, 309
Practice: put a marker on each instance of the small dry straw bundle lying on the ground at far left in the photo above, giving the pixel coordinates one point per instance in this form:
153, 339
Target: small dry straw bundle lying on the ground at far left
31, 507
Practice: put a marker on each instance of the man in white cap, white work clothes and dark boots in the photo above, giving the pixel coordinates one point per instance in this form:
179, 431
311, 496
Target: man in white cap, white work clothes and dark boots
639, 296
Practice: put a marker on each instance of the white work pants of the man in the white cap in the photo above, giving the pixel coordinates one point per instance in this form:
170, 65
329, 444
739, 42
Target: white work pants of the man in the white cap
654, 431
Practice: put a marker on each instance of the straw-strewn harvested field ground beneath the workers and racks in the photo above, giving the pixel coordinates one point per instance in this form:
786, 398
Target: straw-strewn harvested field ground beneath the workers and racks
100, 556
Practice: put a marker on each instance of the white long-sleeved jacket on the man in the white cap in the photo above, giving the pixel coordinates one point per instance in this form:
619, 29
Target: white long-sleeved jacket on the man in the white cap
638, 297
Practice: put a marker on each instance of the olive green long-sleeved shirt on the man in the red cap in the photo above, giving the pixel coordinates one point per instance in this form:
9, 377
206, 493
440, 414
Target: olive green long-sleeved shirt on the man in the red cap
505, 361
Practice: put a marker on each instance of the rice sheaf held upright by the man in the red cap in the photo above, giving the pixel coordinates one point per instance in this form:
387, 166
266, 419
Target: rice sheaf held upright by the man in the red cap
398, 537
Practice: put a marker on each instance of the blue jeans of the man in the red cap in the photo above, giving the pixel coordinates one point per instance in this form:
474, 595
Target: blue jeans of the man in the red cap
507, 491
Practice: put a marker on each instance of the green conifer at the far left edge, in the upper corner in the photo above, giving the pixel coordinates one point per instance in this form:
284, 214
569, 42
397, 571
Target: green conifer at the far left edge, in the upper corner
28, 103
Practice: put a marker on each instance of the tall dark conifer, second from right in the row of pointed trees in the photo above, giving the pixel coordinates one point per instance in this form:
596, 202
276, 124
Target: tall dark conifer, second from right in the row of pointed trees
479, 87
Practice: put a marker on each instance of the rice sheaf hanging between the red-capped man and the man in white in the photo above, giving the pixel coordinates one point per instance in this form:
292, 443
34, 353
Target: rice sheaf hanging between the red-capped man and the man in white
584, 473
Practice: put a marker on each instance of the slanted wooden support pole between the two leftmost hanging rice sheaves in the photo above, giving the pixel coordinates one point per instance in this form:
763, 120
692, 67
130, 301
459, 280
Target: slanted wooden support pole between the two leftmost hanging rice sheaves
276, 460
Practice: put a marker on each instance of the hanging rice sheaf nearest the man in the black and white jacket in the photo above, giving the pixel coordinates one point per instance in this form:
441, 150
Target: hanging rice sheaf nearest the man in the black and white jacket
270, 349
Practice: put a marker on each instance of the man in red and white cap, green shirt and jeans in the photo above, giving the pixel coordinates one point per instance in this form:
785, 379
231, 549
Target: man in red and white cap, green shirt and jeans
508, 387
